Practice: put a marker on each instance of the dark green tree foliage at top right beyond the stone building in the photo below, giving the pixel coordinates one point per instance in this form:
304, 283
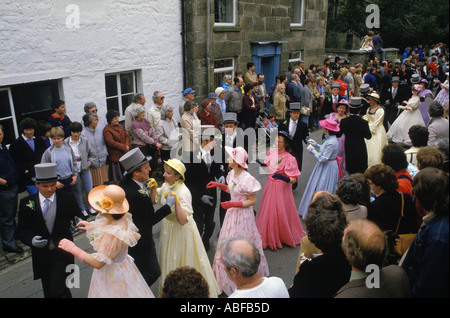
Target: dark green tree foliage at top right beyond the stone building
402, 22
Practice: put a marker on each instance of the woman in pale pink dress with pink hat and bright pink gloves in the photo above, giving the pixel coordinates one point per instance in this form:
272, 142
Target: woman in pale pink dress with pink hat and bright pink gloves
240, 219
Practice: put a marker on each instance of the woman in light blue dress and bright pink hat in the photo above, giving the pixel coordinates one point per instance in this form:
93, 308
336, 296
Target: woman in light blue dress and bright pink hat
325, 174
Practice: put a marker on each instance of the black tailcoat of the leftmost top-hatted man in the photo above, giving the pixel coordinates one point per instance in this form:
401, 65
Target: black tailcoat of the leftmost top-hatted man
31, 223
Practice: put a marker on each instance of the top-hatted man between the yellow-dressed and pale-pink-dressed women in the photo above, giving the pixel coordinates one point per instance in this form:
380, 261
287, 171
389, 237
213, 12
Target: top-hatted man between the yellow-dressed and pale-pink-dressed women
202, 169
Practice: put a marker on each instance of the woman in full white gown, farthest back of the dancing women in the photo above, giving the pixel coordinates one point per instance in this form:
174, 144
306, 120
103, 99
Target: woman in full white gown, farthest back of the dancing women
410, 116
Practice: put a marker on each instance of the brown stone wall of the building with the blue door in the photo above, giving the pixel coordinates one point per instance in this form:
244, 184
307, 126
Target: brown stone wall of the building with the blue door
258, 21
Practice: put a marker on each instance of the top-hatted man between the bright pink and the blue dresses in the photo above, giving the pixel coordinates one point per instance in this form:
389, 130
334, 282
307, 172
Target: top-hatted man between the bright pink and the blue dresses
299, 133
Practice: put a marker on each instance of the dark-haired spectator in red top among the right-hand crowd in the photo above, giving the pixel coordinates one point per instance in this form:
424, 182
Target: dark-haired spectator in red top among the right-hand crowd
394, 157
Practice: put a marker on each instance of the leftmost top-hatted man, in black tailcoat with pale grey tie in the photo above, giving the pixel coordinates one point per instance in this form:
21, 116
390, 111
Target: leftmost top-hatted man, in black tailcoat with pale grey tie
44, 219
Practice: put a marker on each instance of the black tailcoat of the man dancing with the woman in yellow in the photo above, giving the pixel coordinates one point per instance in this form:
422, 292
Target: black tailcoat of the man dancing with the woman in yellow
144, 215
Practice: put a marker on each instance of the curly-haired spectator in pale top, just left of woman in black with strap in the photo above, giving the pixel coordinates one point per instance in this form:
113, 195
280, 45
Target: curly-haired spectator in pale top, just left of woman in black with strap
350, 191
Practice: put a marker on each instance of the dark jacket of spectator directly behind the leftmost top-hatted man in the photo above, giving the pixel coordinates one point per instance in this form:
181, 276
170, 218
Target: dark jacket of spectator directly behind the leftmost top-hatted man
26, 159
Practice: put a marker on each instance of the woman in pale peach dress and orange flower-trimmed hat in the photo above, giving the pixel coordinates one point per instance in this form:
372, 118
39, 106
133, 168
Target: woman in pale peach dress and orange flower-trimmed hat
115, 275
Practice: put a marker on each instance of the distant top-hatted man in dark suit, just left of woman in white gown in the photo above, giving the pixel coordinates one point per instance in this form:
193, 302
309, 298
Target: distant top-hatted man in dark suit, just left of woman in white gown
392, 97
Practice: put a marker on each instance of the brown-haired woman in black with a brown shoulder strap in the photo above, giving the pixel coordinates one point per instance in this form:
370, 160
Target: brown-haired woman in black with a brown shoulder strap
386, 209
